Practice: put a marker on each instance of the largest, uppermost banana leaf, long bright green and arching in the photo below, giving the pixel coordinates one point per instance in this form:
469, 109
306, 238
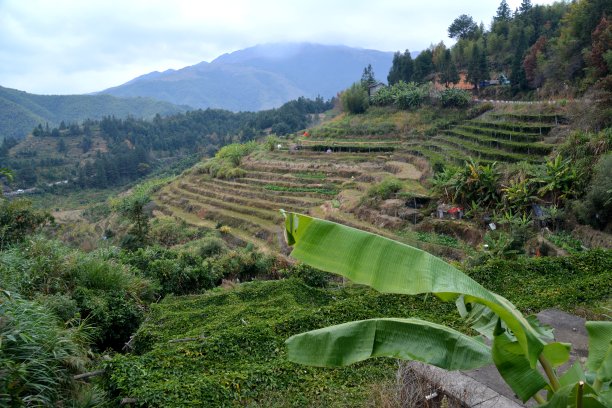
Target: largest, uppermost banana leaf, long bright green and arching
392, 267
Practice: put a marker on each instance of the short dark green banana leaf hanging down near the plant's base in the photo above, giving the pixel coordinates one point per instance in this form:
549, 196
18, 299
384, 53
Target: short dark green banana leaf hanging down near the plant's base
514, 367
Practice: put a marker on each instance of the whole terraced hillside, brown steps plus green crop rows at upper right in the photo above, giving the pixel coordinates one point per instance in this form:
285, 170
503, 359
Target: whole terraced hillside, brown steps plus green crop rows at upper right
327, 171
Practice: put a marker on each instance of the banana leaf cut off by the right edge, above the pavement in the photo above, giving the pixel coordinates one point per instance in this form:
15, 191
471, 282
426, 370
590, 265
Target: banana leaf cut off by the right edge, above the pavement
599, 360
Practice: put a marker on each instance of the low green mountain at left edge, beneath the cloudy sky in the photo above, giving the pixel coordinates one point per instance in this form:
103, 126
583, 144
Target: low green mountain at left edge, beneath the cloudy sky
20, 111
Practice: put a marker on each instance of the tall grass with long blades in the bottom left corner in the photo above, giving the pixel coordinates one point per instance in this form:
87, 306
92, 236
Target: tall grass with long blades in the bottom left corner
38, 355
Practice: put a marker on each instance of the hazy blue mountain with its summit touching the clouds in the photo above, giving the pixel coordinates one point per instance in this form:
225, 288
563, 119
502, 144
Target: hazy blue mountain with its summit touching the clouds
260, 77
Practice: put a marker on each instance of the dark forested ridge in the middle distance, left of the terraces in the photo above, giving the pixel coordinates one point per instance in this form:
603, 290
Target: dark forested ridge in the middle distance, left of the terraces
111, 151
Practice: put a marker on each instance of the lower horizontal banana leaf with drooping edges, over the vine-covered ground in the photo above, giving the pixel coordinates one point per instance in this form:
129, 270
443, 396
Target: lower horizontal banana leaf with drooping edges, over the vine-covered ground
408, 339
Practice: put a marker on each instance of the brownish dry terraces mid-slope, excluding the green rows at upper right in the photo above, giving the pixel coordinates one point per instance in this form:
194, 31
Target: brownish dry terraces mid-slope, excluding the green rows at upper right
305, 181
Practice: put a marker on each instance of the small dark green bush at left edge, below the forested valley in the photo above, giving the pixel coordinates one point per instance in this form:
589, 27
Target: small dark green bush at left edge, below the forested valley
18, 219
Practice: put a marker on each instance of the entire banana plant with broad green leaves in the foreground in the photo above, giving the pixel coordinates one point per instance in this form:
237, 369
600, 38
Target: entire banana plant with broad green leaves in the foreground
521, 348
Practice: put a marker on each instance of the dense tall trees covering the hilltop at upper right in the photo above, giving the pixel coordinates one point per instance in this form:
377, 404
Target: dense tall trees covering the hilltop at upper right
561, 48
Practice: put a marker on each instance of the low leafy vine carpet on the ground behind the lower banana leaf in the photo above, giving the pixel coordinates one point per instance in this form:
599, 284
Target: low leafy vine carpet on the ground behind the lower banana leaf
236, 356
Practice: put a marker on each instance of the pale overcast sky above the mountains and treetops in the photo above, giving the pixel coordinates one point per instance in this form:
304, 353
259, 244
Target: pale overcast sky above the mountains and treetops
80, 46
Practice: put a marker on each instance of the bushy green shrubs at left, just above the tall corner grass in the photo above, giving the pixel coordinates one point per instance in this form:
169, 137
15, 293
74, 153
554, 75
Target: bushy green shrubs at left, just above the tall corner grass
106, 292
